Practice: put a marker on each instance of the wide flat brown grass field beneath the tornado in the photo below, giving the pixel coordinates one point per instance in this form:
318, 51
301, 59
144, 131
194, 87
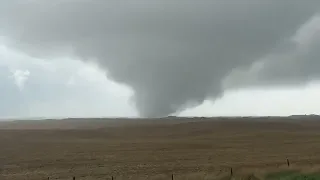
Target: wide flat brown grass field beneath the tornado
189, 148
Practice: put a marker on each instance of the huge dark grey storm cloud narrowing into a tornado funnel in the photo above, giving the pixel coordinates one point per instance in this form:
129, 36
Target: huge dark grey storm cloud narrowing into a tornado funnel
172, 53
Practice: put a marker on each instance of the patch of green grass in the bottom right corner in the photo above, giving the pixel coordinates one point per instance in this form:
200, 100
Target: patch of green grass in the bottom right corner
292, 175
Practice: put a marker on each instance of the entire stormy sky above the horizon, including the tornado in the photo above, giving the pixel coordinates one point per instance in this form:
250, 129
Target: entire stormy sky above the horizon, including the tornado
84, 58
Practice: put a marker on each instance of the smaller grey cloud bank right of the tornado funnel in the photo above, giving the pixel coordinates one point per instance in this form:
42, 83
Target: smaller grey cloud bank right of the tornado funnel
298, 64
